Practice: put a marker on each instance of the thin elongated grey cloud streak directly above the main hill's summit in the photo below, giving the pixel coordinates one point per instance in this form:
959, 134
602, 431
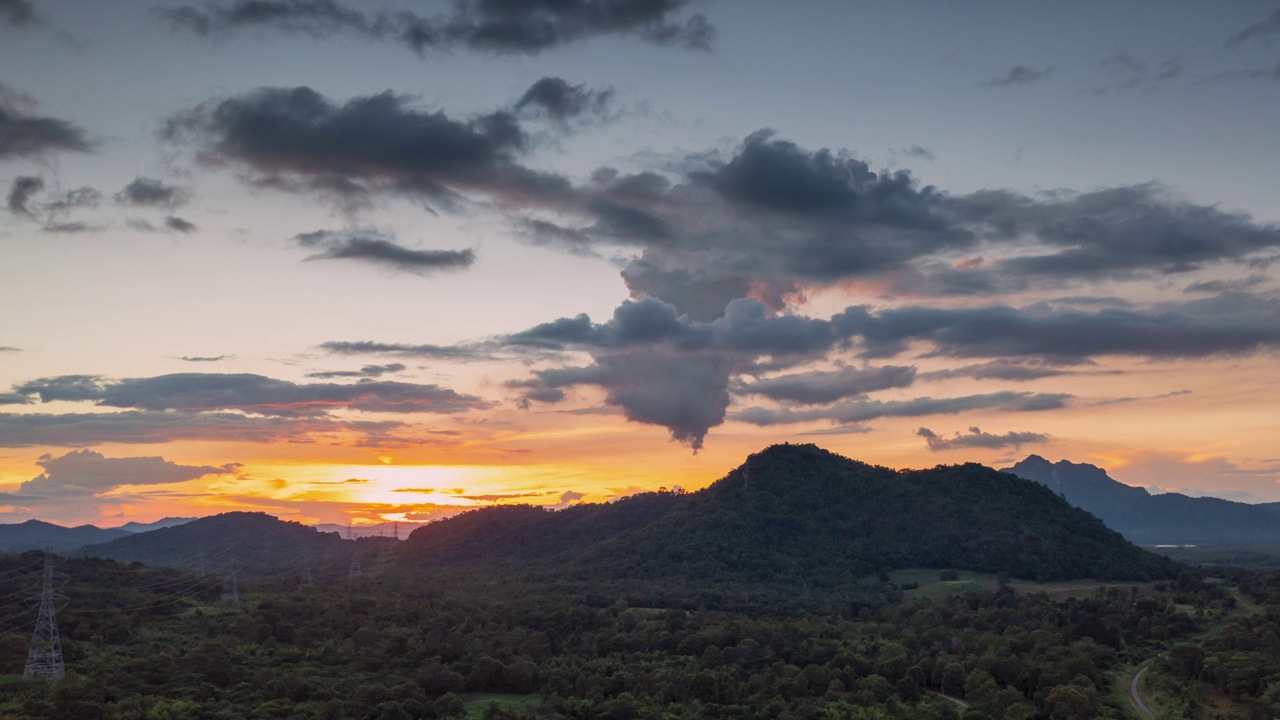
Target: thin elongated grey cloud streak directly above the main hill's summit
866, 411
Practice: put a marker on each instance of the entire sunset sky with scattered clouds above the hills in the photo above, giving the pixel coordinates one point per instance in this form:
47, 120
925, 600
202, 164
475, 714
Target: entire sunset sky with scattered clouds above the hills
385, 262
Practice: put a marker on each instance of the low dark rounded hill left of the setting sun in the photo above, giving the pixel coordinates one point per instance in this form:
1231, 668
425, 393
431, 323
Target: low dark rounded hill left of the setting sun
253, 544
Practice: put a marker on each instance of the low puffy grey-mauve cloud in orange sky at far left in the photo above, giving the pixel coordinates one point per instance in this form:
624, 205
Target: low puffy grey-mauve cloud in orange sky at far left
85, 473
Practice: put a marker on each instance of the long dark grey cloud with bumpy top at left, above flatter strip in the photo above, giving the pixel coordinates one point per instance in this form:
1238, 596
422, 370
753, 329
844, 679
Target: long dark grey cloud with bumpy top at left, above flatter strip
250, 394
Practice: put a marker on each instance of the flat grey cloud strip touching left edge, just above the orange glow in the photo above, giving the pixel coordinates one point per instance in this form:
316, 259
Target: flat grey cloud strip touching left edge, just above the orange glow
77, 430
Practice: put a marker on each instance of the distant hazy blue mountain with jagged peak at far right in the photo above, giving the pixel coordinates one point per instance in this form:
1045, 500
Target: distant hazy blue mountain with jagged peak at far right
1155, 520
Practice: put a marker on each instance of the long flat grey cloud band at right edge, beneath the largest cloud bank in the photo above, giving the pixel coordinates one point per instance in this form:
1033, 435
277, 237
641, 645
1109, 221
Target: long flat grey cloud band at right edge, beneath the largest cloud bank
1227, 325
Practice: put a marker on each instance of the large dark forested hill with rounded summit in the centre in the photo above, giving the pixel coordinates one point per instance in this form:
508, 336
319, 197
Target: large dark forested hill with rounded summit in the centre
799, 513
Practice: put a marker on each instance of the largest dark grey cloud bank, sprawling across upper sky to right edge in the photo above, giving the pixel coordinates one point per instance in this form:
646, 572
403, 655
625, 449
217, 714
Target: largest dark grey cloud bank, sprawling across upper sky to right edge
769, 222
